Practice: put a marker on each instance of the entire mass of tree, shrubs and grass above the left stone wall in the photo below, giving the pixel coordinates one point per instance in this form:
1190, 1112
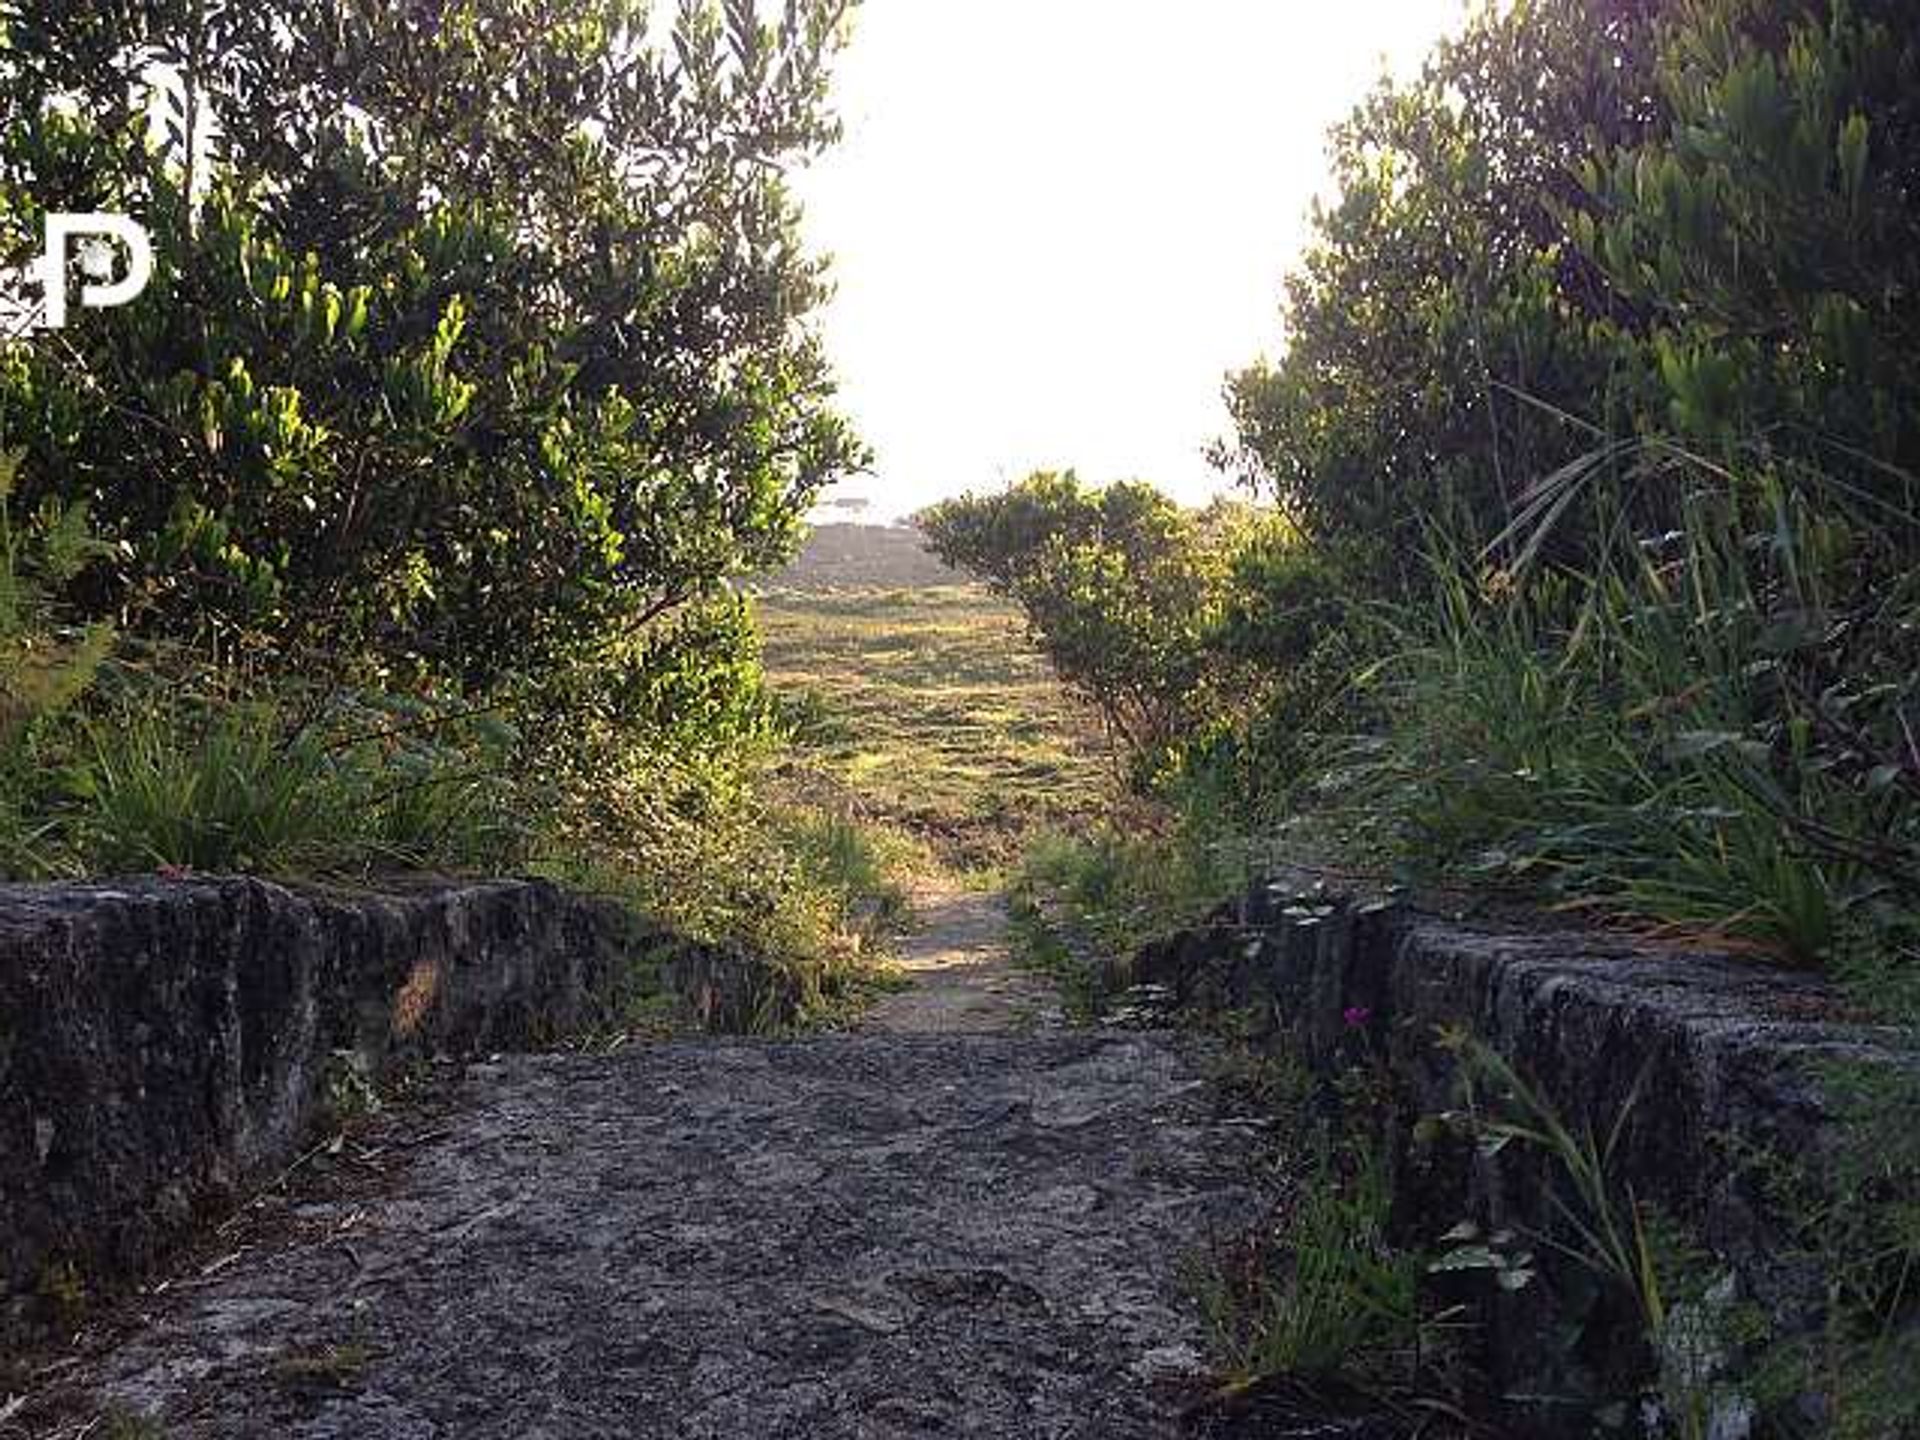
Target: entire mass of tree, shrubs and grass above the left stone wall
473, 370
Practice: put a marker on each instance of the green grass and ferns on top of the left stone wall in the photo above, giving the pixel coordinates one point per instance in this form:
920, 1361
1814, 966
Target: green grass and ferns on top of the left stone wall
112, 763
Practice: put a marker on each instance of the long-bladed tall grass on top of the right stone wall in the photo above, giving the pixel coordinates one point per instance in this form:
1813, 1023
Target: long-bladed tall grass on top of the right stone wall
1712, 729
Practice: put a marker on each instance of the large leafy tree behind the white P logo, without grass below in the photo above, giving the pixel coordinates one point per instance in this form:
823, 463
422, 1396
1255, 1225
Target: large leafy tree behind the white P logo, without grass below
477, 341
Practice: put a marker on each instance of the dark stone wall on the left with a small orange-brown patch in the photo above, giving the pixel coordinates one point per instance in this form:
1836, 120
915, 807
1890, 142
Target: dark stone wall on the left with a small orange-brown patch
164, 1045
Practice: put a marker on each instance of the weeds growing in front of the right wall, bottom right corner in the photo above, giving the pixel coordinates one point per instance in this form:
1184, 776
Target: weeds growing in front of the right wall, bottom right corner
1852, 1218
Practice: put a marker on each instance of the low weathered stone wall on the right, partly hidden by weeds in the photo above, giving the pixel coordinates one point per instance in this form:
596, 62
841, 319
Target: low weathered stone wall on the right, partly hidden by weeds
1714, 1061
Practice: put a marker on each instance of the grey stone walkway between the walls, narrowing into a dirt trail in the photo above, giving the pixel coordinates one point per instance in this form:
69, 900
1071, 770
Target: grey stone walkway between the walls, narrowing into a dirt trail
957, 1222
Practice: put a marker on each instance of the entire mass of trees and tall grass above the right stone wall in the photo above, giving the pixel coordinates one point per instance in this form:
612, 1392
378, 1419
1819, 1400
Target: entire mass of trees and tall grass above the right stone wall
1598, 410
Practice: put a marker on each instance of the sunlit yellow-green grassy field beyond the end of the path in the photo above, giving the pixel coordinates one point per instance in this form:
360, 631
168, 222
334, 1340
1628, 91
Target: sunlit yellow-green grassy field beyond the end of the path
928, 713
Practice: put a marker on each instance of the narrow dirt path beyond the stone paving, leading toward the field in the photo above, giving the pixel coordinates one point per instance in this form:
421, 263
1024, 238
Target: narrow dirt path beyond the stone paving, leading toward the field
963, 976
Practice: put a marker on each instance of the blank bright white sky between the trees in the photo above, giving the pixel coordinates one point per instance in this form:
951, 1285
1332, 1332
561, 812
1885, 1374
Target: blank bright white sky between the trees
1059, 224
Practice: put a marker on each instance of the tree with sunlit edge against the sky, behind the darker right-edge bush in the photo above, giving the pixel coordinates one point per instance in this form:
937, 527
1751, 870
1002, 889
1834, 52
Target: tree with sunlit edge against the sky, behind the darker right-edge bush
1439, 331
